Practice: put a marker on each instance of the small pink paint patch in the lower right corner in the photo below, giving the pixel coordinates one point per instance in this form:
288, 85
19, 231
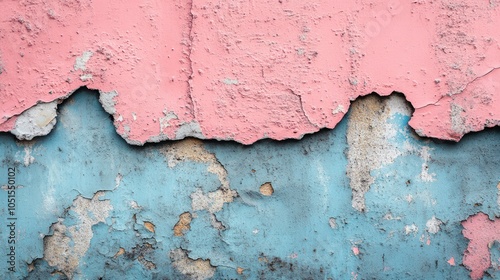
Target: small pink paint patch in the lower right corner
481, 232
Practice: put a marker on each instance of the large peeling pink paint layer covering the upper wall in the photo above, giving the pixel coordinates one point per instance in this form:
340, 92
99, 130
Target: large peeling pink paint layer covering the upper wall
247, 70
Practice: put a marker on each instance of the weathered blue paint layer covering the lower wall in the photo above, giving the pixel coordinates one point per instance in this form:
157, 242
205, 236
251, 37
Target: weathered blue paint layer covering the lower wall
107, 209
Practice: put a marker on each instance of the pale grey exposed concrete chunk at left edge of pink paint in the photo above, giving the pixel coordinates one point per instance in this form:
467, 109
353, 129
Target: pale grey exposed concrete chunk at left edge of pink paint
36, 121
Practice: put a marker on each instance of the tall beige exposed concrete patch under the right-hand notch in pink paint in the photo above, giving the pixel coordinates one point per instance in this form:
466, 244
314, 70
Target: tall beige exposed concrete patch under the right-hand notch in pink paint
369, 137
